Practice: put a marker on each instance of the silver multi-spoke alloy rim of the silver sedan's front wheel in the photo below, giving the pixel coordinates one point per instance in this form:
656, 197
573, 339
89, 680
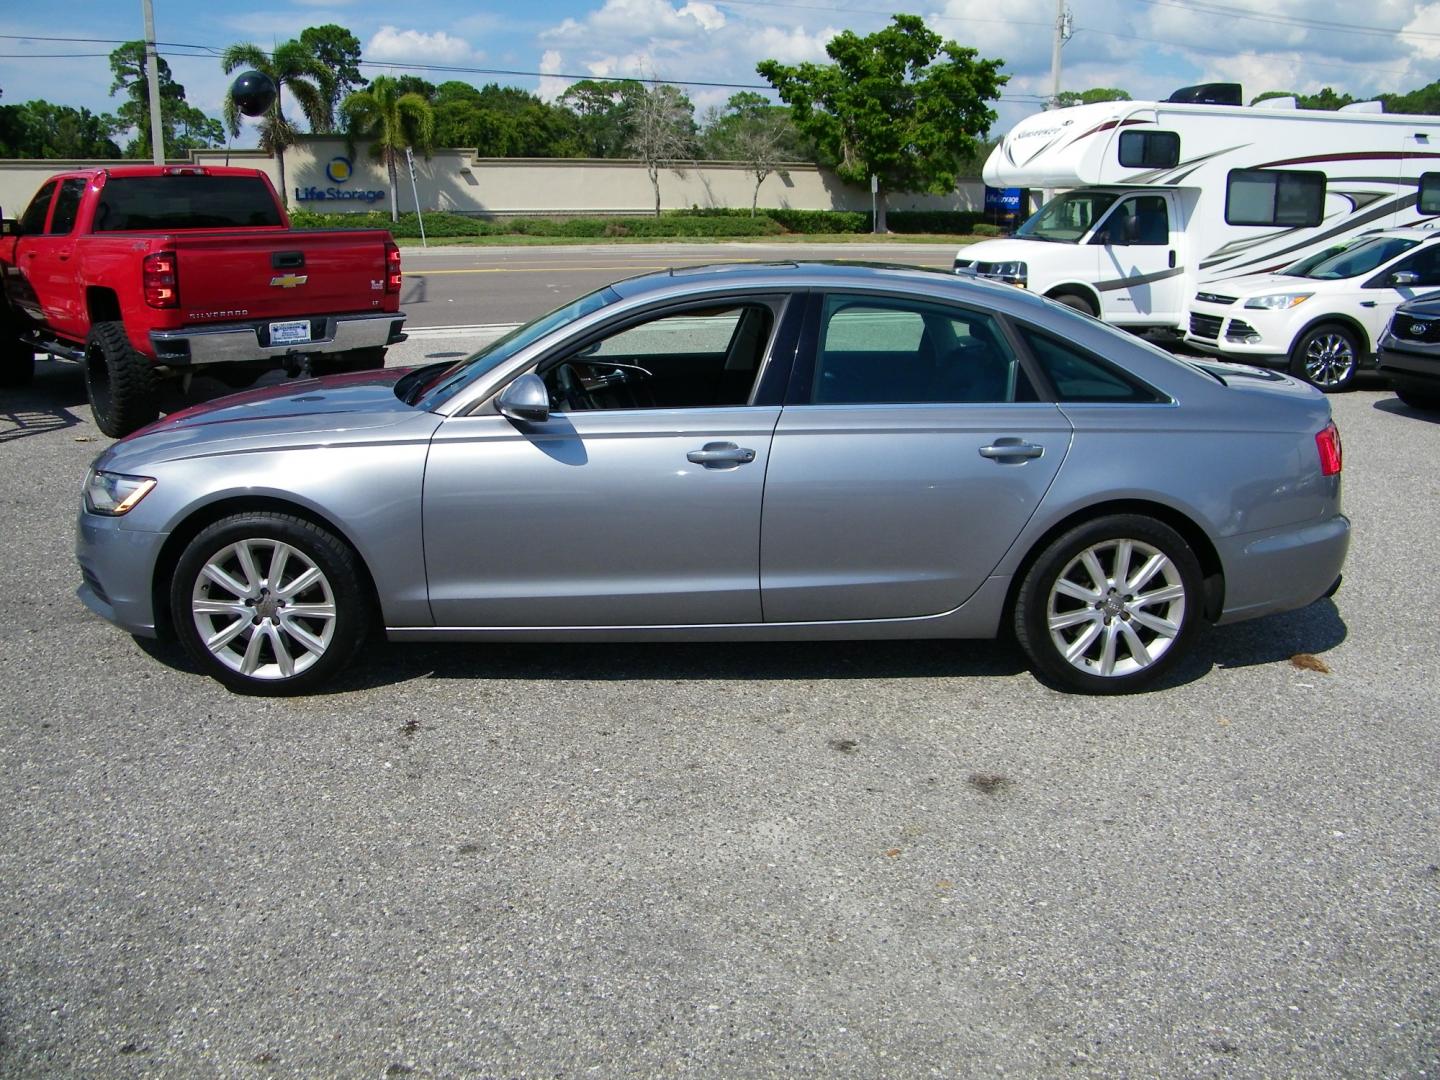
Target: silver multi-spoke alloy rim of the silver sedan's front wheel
264, 610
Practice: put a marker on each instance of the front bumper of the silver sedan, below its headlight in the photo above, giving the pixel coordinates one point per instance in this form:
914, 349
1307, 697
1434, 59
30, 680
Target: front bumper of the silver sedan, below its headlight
117, 568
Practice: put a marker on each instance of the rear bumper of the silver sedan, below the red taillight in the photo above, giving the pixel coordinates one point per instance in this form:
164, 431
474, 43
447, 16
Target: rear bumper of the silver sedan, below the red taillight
1282, 570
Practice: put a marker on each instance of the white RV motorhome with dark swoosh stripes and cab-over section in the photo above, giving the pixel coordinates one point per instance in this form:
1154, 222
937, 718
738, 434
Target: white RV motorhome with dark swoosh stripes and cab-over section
1164, 195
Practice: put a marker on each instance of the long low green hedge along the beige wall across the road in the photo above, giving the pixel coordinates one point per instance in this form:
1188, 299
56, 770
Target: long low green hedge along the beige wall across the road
695, 222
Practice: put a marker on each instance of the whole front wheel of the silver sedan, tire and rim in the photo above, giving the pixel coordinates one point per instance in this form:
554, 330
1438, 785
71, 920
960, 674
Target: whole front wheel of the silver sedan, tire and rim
266, 627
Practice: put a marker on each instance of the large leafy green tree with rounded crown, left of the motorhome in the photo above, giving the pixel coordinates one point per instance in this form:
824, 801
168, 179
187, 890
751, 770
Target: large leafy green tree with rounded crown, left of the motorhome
892, 107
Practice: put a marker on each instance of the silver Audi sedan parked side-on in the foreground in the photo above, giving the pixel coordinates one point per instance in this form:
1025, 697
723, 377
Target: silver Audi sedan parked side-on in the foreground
760, 453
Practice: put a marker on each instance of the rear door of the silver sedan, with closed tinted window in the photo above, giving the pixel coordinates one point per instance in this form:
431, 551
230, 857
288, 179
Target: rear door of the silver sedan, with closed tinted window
911, 454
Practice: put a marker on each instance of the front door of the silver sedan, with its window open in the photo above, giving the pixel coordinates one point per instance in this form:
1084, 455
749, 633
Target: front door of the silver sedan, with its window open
639, 500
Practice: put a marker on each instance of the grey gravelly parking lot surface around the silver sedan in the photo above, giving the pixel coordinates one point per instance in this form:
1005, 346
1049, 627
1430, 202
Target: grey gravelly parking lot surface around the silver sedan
725, 860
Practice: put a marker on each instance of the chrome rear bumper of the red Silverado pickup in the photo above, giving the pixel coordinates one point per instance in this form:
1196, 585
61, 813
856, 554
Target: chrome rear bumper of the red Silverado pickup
241, 342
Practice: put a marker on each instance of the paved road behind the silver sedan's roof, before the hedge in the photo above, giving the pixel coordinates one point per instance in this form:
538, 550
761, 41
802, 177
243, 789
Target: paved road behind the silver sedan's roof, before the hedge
469, 286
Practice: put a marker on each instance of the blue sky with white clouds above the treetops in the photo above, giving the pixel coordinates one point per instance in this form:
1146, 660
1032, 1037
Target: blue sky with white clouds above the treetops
1147, 47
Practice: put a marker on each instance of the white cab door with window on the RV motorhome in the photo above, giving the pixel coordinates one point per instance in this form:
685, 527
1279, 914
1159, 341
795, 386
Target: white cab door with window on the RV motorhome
1141, 267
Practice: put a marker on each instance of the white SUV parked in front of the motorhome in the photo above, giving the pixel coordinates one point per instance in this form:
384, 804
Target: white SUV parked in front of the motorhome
1323, 316
